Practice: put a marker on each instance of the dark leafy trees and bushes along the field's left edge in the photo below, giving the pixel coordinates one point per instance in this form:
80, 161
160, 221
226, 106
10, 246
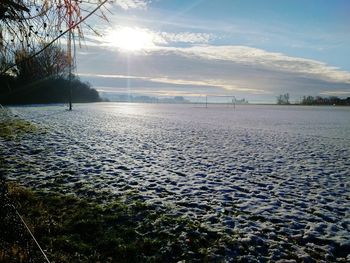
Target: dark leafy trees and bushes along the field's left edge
43, 79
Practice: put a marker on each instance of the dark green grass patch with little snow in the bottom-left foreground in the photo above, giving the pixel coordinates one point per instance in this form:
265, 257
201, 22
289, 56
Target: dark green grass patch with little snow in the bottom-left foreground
75, 230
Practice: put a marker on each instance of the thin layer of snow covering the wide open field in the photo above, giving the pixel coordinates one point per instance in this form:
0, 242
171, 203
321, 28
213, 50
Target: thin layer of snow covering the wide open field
278, 176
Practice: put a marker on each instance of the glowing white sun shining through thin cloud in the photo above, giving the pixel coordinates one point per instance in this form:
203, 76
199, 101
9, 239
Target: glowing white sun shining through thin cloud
130, 38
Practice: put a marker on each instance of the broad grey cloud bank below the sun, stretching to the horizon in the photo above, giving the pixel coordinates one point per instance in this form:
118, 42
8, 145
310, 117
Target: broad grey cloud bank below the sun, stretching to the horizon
245, 72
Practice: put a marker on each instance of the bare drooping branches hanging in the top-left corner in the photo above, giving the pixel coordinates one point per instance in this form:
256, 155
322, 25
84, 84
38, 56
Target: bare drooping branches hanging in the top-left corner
25, 24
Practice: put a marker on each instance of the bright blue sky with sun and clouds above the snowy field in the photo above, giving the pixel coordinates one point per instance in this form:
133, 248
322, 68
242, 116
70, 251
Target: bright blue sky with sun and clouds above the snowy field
251, 49
